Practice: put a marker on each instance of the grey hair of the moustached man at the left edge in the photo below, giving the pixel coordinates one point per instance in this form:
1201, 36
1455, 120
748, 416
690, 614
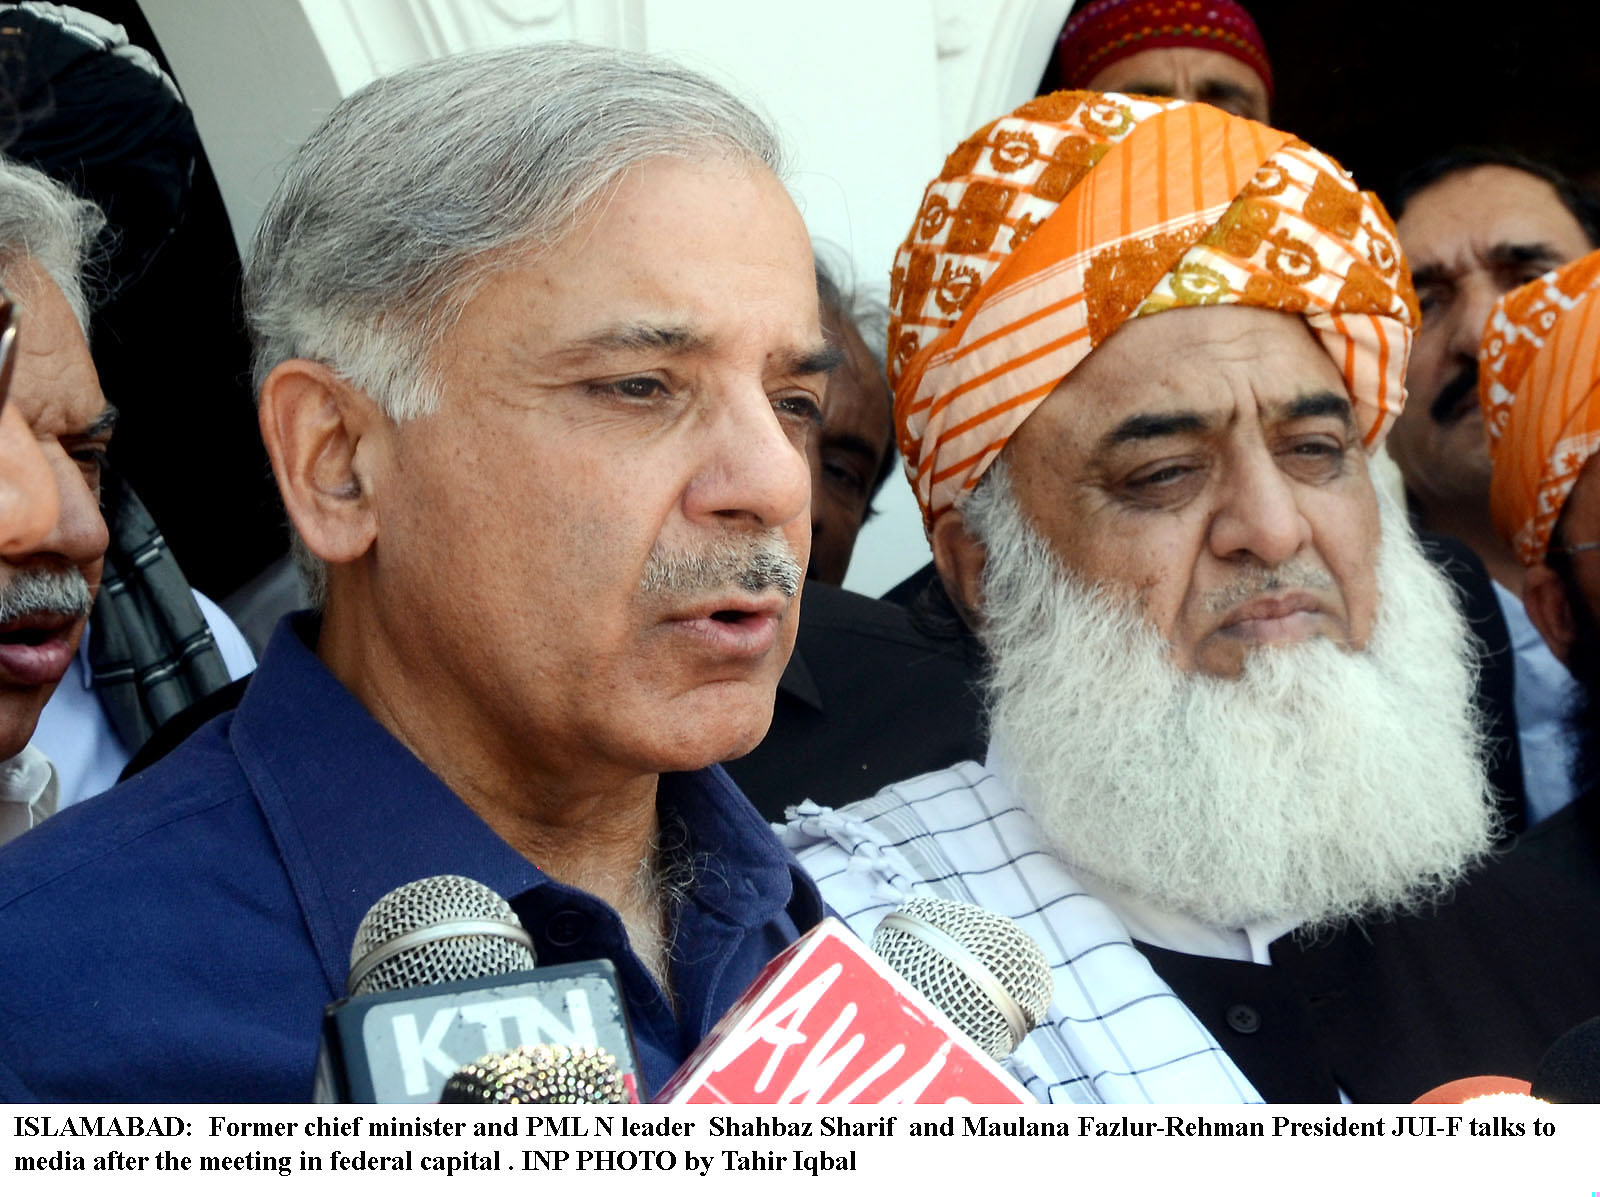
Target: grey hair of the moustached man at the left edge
47, 222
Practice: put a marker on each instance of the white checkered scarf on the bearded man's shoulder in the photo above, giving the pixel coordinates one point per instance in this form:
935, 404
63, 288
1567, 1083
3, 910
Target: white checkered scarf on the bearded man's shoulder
1116, 1033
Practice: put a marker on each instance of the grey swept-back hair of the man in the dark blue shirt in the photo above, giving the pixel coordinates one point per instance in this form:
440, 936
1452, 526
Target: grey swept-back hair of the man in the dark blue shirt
417, 186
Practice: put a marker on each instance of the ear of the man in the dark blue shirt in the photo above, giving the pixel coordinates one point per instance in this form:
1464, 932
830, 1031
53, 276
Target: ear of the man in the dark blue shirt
321, 436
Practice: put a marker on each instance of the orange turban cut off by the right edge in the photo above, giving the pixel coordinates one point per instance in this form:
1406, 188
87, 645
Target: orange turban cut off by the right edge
1540, 388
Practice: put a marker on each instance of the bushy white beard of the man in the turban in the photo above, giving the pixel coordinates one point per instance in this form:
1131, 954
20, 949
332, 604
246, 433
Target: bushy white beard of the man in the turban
1322, 785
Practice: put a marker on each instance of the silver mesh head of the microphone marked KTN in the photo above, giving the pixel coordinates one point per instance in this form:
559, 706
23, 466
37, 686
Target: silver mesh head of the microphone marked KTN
433, 931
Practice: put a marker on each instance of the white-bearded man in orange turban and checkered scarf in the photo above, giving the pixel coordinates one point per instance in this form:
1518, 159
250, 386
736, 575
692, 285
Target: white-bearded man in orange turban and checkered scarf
1142, 356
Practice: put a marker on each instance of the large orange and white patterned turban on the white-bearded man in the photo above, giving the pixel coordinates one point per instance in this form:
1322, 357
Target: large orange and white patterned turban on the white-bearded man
1050, 228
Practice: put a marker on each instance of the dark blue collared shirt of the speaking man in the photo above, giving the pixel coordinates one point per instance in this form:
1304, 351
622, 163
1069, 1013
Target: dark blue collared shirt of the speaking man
178, 939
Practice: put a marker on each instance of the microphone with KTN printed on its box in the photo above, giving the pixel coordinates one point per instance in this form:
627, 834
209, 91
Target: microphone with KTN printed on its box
444, 974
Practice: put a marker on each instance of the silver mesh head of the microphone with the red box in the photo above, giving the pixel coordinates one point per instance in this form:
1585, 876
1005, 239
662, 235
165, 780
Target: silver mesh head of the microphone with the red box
980, 969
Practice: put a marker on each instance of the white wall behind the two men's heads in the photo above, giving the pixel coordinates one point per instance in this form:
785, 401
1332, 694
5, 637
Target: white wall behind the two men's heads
870, 95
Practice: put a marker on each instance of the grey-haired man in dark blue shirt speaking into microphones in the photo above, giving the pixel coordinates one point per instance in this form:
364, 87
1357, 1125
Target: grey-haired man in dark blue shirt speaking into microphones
538, 354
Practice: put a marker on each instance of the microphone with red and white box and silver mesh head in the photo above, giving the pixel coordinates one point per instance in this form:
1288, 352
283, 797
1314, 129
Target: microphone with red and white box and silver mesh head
831, 1023
